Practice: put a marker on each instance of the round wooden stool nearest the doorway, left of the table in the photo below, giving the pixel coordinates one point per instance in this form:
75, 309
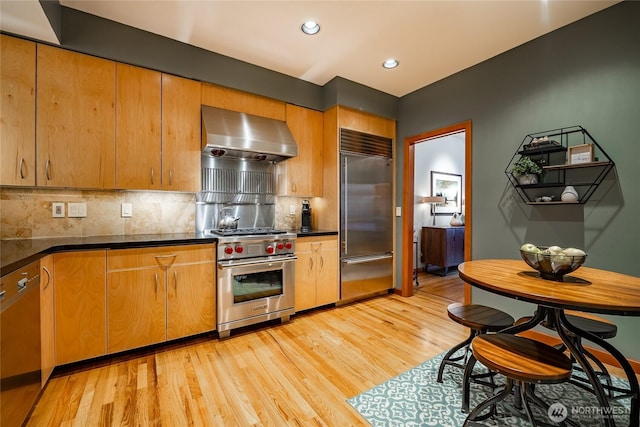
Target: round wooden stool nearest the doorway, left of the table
479, 319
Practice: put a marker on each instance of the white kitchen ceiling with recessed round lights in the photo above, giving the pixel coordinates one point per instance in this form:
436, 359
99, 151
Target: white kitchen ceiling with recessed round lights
431, 39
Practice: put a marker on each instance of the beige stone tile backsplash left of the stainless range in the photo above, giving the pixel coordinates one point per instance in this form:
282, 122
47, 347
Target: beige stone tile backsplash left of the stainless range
26, 213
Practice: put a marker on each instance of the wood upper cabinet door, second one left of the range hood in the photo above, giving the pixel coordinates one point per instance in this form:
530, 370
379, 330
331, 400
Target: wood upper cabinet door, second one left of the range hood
137, 128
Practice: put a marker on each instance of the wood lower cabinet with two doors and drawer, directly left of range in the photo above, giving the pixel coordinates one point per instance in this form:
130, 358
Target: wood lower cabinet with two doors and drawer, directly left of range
159, 294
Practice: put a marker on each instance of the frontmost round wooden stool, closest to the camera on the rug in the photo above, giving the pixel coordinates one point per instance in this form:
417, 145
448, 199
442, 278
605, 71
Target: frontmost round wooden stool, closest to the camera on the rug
524, 362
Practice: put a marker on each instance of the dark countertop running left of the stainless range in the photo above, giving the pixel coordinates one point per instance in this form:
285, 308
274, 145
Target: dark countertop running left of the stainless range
18, 253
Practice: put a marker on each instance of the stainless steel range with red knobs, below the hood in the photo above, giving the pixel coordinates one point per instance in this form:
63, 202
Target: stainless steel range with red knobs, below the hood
256, 273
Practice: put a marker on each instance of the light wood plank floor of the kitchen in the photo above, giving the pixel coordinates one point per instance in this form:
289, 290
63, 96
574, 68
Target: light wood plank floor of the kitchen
298, 374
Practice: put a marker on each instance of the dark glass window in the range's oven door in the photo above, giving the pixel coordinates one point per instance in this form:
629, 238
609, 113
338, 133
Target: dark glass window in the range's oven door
256, 285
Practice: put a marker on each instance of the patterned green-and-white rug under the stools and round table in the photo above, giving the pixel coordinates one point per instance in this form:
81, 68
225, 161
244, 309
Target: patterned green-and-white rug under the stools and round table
415, 398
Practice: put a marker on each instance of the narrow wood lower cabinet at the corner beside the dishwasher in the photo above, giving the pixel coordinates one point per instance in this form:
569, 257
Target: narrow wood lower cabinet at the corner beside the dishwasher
47, 319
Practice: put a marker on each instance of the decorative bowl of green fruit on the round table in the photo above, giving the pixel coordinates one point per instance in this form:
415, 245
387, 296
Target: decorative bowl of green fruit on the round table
553, 262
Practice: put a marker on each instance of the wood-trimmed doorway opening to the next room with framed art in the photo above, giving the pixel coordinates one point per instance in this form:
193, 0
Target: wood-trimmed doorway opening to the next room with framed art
460, 202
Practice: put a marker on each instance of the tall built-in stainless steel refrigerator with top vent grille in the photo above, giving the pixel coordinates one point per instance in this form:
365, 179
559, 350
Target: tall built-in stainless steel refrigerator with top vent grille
366, 215
